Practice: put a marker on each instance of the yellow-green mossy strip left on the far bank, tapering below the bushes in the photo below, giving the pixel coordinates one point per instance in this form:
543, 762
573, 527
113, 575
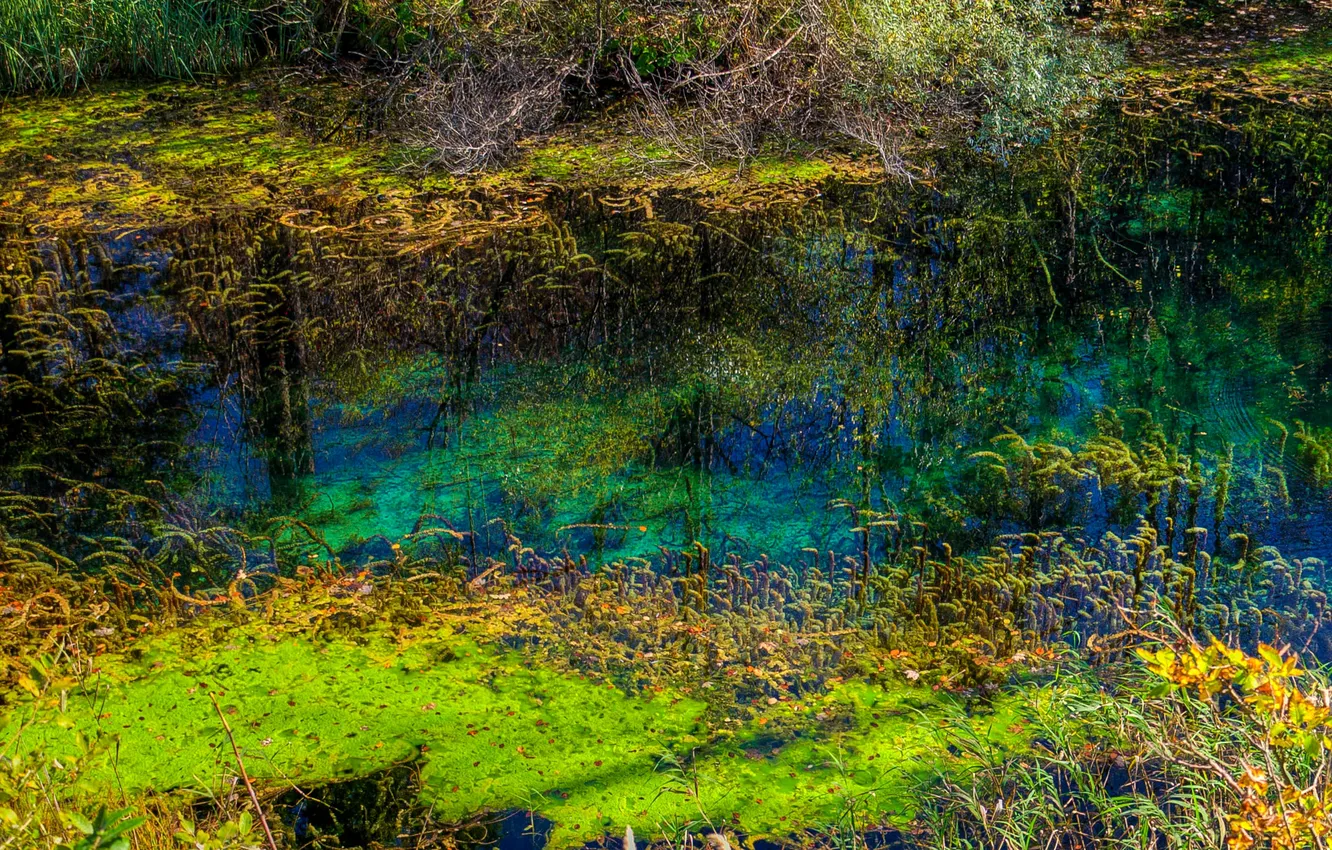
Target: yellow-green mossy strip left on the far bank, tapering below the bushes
153, 157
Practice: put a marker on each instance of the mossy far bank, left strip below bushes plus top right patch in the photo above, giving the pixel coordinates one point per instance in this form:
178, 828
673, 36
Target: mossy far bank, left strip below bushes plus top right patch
145, 157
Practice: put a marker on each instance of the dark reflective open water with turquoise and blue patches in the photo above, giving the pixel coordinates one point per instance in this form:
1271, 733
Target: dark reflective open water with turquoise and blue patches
635, 374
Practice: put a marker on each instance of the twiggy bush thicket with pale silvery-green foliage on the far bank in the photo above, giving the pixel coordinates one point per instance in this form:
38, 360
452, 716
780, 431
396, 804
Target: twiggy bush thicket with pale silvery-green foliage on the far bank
721, 81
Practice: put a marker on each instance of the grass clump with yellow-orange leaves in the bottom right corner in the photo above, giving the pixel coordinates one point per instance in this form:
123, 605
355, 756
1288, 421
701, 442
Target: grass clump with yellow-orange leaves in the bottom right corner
1207, 747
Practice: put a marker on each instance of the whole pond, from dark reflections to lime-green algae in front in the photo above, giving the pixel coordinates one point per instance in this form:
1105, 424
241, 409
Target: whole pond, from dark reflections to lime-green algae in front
715, 478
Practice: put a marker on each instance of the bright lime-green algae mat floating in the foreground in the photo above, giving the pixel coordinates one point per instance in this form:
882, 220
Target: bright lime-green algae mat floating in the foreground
494, 731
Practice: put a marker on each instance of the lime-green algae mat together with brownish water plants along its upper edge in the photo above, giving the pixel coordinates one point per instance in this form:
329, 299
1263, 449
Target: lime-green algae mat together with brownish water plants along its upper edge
744, 676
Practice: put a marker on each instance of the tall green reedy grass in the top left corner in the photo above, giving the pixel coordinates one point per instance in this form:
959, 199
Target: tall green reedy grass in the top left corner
62, 45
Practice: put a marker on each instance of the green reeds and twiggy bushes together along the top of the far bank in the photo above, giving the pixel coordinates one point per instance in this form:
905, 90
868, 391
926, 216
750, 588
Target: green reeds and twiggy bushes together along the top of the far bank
463, 85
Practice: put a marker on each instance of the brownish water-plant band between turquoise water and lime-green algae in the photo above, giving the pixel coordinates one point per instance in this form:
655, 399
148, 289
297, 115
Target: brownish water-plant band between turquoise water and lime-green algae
747, 641
